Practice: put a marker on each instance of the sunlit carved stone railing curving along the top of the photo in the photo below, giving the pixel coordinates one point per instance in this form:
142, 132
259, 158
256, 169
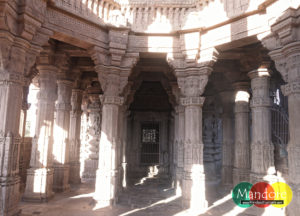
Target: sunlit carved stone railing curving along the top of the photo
158, 16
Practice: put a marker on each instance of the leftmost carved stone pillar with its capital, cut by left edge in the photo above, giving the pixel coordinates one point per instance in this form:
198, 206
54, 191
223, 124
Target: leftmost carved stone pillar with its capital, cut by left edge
11, 82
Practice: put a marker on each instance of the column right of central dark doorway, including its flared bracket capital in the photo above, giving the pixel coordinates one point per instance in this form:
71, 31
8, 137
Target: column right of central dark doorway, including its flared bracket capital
192, 86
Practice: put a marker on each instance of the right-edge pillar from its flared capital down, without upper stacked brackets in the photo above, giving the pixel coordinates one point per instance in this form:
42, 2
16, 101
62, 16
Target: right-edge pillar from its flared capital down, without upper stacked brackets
287, 62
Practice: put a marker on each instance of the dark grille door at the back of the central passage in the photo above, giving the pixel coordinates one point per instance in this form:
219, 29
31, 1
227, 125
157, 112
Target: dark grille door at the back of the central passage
150, 143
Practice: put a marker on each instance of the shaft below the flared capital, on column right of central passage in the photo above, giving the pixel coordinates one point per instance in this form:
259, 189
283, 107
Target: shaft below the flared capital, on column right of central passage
194, 179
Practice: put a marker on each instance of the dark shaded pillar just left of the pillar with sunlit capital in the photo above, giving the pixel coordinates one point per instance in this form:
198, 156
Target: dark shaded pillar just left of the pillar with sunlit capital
228, 138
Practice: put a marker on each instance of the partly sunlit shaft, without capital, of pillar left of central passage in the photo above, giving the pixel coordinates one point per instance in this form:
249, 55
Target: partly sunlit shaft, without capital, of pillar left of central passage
107, 173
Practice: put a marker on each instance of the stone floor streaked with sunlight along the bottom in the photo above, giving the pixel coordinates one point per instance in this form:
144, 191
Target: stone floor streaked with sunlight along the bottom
149, 197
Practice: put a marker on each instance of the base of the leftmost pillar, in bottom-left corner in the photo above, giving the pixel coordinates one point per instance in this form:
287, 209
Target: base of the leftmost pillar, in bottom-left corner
10, 196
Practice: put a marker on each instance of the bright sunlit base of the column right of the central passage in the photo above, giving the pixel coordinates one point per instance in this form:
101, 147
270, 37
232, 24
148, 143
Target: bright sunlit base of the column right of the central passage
193, 193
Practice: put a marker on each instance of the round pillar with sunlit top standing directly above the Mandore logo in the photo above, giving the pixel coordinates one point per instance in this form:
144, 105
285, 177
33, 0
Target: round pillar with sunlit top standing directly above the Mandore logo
262, 149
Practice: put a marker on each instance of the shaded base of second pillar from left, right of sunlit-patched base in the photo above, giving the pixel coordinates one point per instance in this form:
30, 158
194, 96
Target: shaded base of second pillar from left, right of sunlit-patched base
61, 178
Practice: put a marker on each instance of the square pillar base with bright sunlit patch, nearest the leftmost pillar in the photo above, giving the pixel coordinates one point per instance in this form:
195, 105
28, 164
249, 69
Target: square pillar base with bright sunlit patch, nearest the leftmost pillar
38, 185
